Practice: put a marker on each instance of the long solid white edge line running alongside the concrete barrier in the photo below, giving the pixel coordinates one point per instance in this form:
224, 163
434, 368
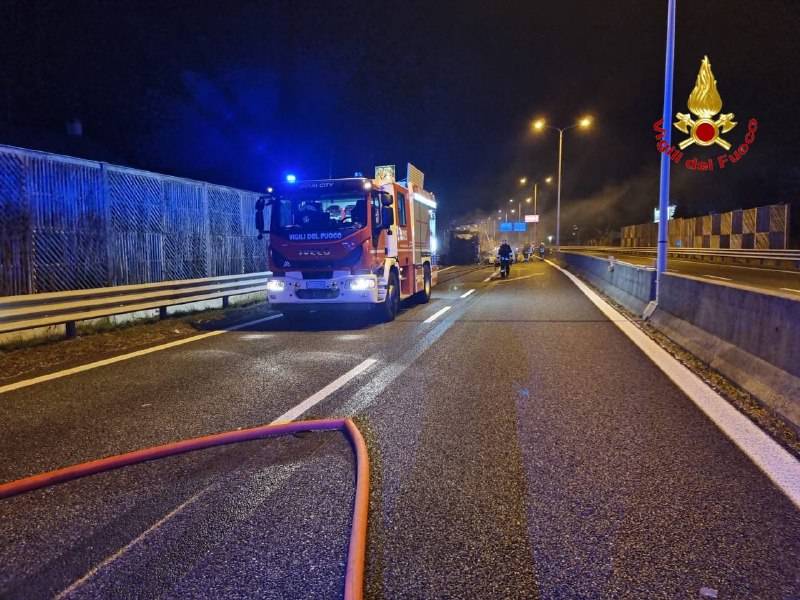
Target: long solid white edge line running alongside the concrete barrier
776, 463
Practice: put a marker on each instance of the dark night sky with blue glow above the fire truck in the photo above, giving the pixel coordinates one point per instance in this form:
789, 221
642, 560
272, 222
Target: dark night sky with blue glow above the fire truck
242, 92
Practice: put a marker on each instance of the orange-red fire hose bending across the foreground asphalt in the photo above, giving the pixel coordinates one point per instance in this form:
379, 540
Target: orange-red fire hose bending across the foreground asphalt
354, 573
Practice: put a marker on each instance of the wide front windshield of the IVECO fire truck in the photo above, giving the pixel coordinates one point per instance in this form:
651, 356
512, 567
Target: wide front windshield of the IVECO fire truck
319, 216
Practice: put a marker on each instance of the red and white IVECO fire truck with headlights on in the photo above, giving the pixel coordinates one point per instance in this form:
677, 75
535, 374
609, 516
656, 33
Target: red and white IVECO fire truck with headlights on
360, 244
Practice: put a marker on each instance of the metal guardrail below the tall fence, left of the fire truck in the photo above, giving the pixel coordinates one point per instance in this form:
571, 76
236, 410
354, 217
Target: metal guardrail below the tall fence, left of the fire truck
39, 310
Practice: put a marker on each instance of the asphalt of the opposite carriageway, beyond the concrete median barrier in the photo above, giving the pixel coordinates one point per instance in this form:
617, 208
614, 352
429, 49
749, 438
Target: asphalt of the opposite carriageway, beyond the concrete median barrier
773, 279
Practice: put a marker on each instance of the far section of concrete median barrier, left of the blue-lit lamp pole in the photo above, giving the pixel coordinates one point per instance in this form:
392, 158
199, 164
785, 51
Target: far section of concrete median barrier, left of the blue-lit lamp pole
630, 285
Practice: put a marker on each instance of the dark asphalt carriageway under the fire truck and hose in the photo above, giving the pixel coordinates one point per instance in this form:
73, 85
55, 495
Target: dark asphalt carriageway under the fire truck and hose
521, 447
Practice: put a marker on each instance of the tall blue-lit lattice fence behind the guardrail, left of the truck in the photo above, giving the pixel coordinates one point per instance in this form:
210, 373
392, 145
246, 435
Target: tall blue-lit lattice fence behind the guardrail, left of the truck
67, 224
